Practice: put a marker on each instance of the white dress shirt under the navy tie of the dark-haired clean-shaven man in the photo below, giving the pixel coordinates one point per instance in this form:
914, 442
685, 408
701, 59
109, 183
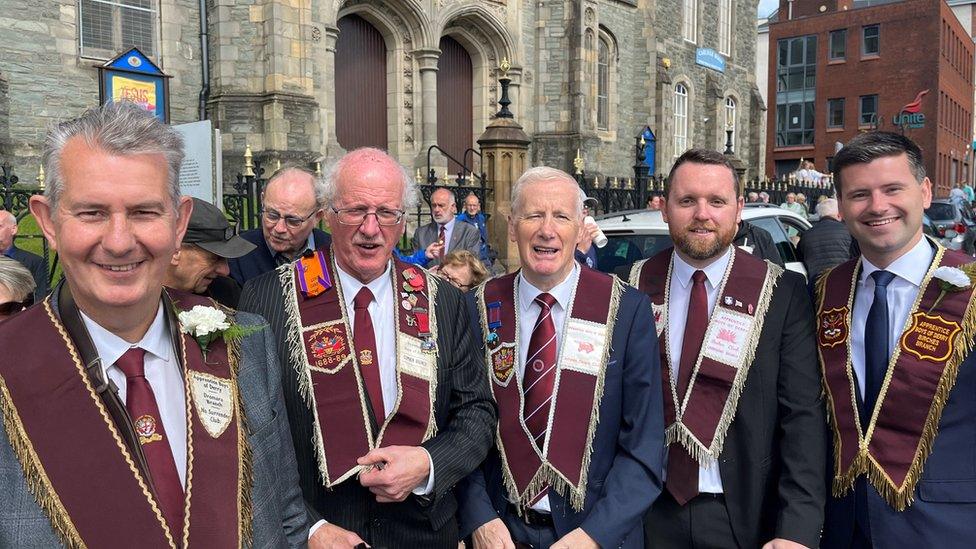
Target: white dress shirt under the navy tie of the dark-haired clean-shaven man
909, 270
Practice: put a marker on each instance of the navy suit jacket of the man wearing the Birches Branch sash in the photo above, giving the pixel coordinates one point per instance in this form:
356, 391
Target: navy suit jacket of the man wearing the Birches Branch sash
943, 514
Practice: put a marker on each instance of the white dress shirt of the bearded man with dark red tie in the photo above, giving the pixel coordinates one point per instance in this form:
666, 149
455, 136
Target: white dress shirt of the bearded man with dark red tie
679, 294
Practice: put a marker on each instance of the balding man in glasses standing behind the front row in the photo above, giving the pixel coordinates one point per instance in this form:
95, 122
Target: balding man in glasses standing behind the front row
291, 208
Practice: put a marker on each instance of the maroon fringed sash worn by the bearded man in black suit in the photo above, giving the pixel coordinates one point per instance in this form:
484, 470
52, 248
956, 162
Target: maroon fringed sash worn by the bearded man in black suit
700, 421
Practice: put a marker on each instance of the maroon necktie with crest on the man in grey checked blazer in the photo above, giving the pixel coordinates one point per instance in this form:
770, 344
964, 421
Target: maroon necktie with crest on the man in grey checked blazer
140, 401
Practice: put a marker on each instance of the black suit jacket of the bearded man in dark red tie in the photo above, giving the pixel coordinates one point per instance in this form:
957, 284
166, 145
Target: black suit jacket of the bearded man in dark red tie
772, 464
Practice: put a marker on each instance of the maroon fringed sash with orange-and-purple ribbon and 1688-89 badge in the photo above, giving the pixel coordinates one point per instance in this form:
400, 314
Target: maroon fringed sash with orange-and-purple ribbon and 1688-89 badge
328, 365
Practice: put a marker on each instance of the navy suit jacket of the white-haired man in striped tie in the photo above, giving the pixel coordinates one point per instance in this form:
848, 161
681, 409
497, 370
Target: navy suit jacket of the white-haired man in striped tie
628, 449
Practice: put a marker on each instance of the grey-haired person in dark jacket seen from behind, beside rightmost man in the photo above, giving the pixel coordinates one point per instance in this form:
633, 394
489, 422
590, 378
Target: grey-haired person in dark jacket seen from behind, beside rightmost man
826, 244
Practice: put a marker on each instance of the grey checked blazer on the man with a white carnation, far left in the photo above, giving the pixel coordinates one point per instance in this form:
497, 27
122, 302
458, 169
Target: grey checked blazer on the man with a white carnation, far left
279, 519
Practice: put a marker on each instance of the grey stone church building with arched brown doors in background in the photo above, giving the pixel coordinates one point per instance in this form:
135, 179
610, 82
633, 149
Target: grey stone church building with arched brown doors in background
298, 80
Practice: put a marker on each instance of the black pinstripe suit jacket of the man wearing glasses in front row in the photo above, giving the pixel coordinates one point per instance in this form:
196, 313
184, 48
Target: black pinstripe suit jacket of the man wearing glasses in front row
465, 415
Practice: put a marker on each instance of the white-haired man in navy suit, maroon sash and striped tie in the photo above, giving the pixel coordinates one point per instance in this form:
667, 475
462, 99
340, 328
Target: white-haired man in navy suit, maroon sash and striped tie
573, 364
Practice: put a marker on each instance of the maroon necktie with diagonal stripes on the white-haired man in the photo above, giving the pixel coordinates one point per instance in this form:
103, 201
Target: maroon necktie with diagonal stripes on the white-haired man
540, 371
